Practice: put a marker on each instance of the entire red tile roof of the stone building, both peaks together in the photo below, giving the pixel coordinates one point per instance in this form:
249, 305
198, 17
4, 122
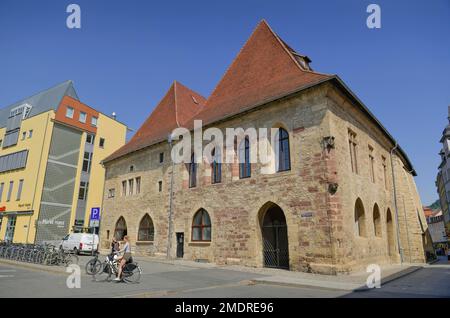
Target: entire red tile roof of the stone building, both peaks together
265, 69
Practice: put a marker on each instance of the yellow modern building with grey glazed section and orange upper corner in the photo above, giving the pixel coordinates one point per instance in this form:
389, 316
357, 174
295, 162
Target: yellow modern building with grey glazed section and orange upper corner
51, 176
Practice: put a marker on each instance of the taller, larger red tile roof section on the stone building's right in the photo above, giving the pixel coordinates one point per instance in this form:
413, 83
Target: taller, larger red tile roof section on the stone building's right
265, 69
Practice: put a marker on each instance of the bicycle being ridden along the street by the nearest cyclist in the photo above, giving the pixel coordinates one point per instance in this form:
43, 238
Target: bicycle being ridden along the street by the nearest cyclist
131, 272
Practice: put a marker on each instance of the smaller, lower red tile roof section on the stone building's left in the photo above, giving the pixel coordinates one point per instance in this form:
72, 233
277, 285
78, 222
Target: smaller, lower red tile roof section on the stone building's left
174, 110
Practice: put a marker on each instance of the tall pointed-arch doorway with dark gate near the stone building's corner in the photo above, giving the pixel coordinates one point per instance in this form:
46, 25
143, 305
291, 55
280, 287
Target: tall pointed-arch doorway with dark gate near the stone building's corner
275, 238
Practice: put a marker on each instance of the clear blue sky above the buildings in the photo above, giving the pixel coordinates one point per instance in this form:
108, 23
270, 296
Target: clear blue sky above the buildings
127, 53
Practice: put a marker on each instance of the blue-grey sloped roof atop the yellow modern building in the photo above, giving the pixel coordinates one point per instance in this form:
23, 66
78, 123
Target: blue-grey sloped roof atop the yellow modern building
42, 101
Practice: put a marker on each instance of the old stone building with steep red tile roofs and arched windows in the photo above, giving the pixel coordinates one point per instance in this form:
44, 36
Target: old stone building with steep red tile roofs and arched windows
340, 193
